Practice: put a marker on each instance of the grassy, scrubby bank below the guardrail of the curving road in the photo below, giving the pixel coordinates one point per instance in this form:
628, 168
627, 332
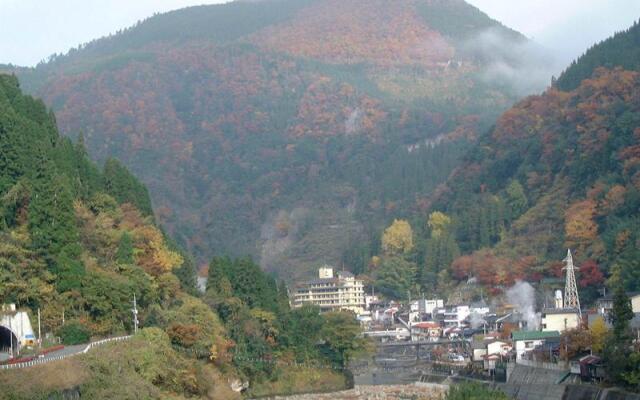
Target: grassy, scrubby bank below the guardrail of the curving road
145, 367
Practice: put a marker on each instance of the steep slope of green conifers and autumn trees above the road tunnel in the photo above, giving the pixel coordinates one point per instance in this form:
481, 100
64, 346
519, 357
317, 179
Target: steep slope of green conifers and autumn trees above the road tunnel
69, 227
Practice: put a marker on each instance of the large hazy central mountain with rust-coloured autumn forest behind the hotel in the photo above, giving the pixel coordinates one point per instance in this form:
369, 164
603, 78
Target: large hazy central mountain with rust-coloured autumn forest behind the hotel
292, 130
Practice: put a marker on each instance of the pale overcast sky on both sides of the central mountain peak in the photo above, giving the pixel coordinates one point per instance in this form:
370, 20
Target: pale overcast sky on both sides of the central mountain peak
31, 30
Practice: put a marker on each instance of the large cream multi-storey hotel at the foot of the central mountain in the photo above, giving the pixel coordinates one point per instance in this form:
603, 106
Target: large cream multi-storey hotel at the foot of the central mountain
331, 293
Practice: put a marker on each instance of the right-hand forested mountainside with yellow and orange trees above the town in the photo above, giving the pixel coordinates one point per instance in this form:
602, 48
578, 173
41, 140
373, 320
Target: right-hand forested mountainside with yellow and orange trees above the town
559, 170
